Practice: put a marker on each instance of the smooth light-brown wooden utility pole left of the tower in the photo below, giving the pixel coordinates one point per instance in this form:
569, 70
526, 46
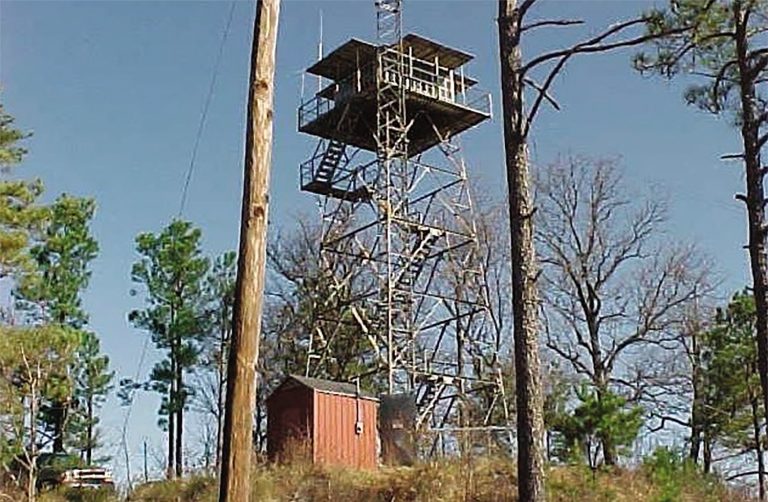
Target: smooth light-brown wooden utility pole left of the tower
237, 447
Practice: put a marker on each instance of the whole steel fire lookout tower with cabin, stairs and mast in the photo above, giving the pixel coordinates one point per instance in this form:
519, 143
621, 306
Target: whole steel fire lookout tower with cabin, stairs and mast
397, 210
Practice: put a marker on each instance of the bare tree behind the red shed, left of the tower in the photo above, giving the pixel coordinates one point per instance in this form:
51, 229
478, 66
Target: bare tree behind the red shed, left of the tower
303, 298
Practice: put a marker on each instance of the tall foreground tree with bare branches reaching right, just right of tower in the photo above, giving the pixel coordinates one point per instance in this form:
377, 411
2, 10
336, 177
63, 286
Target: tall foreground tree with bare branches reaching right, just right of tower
536, 76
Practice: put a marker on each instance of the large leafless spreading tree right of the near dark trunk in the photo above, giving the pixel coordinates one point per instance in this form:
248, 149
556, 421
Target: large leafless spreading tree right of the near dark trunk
615, 292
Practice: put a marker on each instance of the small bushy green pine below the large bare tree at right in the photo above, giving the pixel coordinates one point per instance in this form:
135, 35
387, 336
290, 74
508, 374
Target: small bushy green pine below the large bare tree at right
599, 417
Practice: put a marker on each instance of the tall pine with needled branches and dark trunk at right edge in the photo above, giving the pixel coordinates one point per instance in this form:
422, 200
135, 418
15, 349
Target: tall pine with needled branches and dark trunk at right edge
721, 44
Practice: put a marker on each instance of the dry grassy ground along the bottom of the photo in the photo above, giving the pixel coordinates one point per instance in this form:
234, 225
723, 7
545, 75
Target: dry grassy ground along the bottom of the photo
662, 479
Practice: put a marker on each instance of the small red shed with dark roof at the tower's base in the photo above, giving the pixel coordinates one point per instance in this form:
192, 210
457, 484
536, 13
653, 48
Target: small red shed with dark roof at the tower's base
335, 422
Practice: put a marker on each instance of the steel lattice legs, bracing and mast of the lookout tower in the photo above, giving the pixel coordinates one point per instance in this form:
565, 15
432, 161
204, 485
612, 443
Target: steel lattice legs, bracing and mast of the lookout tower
416, 291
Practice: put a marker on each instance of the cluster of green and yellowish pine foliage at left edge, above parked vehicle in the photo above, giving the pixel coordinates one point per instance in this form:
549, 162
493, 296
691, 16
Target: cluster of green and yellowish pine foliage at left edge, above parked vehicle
54, 366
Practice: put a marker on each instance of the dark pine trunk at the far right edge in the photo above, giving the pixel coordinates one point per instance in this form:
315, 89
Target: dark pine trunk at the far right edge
755, 198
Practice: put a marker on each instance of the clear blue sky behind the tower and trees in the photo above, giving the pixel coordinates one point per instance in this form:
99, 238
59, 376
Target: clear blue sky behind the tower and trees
113, 91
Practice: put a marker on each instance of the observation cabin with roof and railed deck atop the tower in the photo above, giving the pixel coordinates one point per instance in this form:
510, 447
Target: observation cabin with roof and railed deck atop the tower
441, 100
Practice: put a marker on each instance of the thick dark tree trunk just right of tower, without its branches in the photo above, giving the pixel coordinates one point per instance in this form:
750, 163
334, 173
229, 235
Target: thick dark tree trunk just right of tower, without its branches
530, 422
